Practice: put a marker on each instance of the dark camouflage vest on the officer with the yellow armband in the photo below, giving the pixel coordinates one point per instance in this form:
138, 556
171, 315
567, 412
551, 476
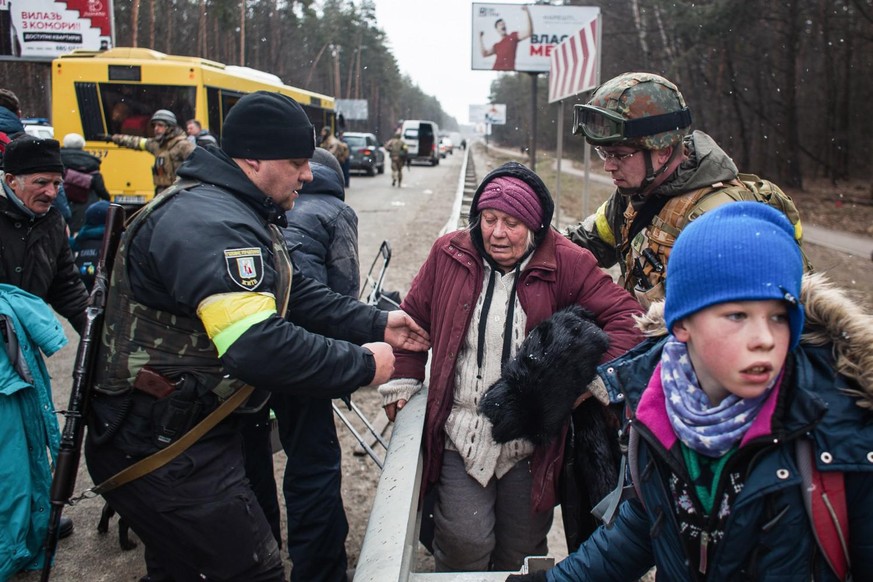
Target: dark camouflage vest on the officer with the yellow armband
135, 335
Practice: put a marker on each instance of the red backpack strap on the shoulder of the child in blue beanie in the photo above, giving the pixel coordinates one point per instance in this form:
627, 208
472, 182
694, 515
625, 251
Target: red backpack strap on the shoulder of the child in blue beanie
824, 495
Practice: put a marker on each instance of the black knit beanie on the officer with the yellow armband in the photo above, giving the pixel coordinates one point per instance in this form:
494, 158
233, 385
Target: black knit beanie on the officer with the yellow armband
267, 126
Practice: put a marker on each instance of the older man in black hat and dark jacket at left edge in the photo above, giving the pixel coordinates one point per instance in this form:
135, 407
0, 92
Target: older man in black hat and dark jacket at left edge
36, 253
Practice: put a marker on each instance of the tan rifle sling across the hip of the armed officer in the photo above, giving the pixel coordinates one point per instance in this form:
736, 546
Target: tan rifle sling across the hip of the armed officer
160, 458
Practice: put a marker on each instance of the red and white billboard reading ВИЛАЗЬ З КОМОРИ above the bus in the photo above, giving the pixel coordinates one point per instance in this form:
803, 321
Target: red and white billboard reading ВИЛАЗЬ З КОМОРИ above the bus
44, 29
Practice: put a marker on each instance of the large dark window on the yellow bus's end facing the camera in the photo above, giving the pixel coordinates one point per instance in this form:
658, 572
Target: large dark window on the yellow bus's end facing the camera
128, 108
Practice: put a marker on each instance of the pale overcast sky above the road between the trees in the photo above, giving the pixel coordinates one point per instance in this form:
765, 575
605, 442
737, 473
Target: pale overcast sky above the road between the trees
431, 41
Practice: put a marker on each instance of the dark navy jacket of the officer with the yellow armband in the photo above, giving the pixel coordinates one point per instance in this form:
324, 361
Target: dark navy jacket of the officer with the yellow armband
176, 260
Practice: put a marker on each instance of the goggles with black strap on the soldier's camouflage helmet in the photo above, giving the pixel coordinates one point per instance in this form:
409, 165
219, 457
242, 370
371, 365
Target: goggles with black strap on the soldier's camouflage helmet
603, 126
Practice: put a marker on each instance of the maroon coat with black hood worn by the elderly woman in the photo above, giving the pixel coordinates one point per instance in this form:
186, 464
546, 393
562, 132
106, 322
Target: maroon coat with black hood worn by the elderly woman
443, 297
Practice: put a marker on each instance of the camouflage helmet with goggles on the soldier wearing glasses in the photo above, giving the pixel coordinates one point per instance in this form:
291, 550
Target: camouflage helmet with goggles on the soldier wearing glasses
640, 110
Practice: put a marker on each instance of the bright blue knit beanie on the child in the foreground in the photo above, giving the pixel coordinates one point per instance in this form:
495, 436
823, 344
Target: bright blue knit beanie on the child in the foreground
741, 251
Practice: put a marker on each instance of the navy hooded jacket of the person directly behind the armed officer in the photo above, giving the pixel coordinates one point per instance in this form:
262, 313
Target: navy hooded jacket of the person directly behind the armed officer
322, 232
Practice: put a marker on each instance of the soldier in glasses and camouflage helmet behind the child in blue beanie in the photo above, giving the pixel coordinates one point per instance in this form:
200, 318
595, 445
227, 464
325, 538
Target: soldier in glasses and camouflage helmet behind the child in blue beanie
663, 177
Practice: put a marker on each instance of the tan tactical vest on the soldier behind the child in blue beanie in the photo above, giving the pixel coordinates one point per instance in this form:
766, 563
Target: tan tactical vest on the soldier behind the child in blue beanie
647, 255
